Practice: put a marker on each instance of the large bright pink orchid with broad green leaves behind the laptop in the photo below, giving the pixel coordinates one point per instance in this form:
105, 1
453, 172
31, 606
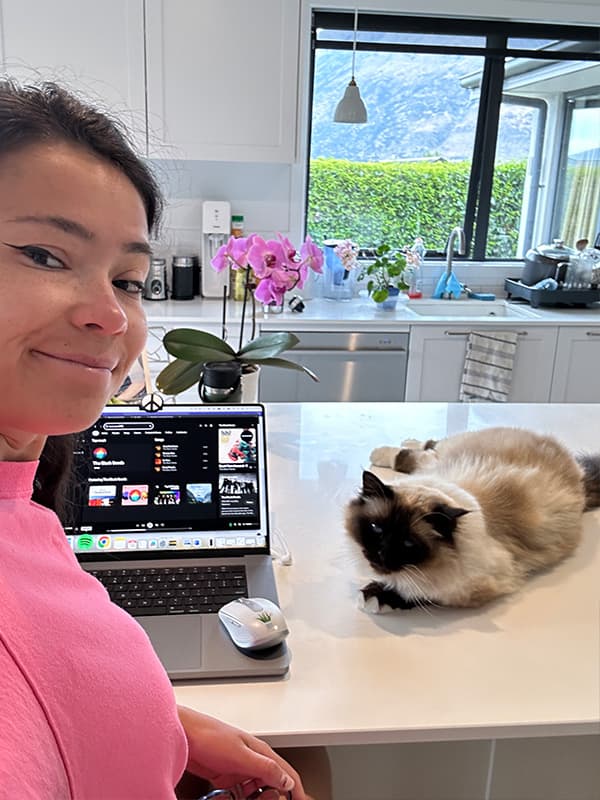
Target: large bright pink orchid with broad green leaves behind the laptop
278, 268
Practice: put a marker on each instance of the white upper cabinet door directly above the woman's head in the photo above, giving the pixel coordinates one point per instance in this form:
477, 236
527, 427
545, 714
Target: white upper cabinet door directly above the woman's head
96, 49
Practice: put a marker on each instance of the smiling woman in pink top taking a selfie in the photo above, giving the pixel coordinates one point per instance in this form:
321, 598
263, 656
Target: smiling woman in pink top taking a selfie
86, 709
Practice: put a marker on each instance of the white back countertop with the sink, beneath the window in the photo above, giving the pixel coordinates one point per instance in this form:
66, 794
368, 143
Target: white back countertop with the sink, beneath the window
359, 314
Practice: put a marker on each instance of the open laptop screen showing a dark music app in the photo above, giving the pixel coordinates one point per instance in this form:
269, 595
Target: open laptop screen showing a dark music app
182, 480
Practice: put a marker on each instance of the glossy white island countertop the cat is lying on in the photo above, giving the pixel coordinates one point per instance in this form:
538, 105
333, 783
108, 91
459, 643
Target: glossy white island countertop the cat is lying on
524, 666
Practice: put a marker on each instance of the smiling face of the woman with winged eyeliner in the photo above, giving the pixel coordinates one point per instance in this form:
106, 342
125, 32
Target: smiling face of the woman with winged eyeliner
73, 257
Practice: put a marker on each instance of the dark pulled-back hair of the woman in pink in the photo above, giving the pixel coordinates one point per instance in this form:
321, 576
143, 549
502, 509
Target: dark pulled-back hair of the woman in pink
48, 114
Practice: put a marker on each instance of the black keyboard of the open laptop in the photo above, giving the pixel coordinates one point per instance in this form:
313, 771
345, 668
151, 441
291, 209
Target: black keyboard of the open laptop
173, 590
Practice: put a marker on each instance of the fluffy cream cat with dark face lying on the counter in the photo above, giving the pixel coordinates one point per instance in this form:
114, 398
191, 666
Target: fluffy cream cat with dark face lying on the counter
469, 517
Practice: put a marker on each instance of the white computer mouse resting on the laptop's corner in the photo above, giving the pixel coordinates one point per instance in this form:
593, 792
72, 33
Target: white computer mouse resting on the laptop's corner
253, 623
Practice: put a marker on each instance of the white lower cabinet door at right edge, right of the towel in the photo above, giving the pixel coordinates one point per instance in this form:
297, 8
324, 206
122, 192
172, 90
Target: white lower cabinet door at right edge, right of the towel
577, 367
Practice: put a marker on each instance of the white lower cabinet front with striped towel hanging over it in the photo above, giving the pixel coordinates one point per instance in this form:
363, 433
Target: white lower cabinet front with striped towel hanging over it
437, 353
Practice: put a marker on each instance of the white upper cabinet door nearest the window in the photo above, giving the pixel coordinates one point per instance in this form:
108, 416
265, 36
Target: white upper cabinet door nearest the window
222, 79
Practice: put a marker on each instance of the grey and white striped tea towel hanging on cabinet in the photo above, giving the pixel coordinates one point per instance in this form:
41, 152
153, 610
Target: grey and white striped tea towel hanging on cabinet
487, 373
